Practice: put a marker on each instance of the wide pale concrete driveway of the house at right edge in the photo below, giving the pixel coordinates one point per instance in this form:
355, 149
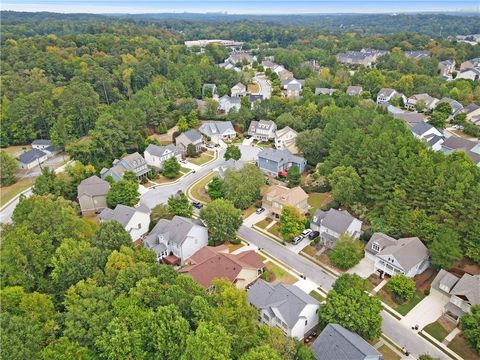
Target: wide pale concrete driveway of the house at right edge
427, 311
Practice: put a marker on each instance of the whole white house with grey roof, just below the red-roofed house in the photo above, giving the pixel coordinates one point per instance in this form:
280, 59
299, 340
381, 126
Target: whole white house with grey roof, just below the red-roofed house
285, 306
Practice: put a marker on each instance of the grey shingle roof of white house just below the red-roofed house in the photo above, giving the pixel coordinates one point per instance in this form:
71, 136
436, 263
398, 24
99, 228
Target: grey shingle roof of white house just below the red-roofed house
288, 300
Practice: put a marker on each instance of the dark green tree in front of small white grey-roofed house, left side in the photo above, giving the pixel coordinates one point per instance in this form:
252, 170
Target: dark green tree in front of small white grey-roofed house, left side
110, 236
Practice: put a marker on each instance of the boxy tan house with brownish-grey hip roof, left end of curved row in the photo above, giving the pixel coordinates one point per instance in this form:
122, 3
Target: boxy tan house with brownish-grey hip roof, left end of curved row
92, 195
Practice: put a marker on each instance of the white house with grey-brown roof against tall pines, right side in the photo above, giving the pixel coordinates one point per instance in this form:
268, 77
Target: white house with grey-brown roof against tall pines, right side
407, 256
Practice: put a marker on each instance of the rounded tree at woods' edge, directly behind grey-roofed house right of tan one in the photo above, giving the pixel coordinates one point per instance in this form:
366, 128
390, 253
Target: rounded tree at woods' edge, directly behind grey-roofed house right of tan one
345, 184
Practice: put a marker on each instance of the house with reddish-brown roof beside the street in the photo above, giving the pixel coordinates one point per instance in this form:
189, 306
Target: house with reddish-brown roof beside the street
210, 263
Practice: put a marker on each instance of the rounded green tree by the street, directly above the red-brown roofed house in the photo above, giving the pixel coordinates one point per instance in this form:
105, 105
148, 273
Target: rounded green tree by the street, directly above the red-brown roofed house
222, 220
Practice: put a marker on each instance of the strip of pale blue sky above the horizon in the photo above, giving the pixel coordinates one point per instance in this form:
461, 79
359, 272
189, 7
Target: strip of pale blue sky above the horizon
241, 6
